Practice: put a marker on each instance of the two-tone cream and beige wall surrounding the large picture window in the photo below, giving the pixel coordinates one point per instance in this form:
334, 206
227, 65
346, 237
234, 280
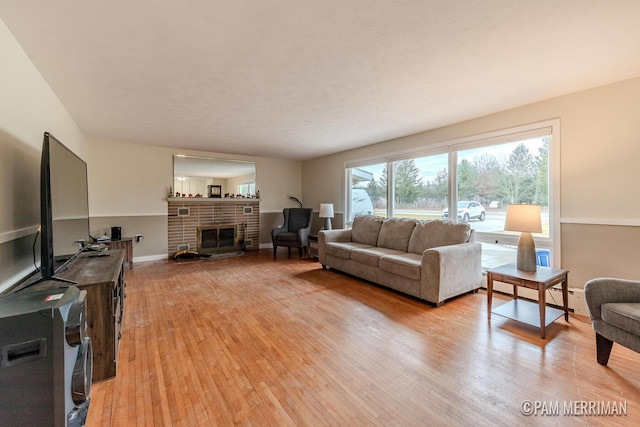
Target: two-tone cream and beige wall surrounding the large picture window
600, 145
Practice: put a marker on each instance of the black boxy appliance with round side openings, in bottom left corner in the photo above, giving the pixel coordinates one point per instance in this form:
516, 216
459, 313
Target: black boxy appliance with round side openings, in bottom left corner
46, 359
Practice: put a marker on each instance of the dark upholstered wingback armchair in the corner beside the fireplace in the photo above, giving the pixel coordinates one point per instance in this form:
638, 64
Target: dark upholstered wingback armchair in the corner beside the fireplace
294, 233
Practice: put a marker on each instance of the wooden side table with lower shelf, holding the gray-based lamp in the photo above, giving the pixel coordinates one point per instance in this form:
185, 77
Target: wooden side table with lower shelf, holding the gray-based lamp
525, 311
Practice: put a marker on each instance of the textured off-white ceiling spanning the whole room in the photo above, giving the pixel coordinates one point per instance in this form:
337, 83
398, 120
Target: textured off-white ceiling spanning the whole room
300, 79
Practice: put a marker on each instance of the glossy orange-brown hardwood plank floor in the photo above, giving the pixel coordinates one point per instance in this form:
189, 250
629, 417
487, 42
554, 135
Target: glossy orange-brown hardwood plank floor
257, 341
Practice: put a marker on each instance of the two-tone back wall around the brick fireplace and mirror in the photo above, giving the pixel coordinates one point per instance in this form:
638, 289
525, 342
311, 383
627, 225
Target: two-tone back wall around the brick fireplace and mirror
129, 184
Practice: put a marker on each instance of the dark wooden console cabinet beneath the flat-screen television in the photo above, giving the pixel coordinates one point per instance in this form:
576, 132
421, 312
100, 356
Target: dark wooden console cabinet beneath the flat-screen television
103, 279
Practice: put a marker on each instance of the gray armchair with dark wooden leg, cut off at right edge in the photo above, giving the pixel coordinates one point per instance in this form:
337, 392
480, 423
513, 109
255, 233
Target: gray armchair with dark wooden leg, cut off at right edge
614, 308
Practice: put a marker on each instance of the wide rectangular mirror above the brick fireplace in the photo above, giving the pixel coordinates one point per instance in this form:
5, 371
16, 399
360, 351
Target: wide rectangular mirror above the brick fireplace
207, 177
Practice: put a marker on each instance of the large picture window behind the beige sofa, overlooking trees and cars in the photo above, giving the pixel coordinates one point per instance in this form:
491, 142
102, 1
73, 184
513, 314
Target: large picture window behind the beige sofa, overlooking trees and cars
475, 177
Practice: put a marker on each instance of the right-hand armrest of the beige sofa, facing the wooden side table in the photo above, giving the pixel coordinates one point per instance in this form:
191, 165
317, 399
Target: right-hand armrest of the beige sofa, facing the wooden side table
452, 270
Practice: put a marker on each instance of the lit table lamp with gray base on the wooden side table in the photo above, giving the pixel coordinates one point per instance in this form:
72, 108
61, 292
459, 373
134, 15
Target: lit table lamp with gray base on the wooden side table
526, 220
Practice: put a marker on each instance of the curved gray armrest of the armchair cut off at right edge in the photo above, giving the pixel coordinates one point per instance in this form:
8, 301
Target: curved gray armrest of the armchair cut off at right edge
606, 289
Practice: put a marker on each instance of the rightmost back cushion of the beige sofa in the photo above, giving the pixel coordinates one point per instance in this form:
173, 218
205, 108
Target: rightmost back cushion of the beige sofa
431, 234
